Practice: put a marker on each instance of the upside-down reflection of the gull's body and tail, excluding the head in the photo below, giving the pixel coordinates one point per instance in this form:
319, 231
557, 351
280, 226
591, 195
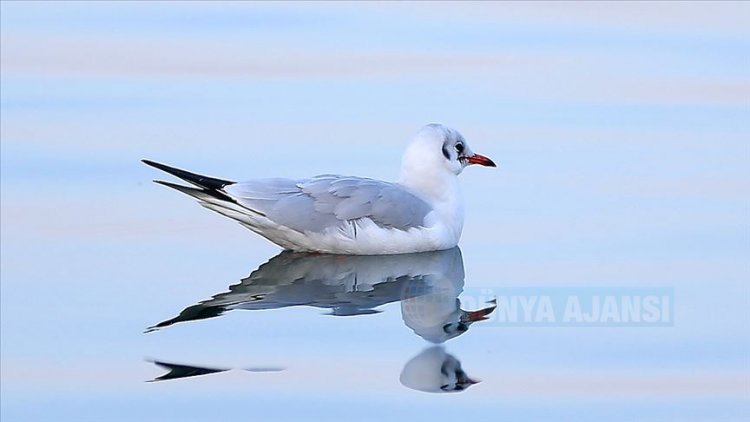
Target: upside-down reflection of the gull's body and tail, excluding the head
346, 284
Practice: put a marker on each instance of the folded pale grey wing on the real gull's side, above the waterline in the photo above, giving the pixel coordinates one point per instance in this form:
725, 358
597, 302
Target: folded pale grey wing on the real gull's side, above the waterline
328, 201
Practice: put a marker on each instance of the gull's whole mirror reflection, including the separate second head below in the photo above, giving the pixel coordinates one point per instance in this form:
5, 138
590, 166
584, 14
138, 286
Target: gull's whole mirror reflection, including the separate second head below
427, 284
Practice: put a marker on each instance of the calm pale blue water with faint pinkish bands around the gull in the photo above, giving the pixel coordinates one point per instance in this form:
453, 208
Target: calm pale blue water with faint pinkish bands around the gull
621, 132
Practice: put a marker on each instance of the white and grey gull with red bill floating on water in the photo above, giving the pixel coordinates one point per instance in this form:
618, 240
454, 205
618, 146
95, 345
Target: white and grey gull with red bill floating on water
350, 215
